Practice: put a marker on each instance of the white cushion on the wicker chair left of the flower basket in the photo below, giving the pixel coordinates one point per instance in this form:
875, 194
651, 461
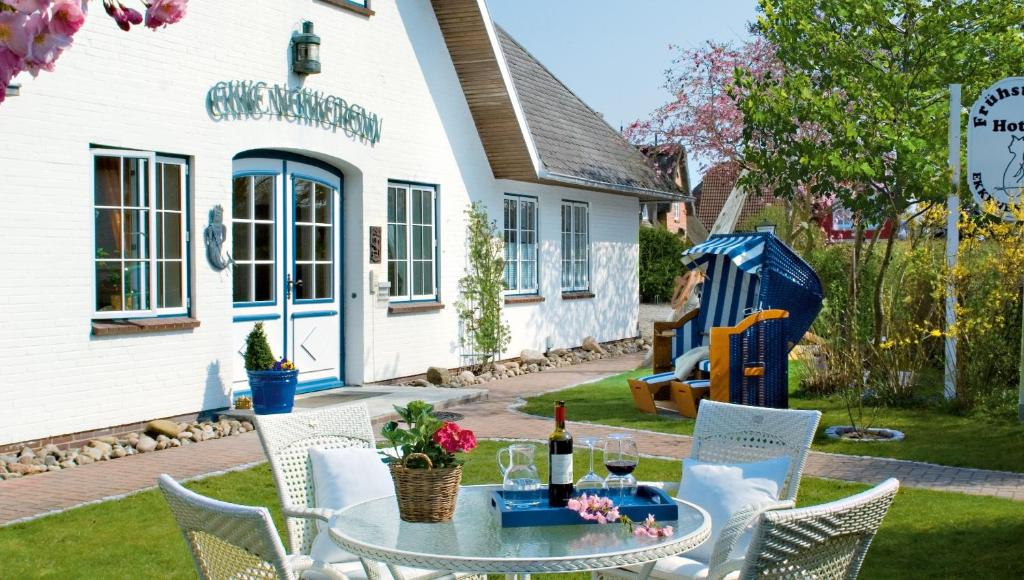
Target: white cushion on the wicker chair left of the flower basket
344, 478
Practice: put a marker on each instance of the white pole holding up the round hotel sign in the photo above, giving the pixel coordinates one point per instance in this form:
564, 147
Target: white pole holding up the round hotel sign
953, 240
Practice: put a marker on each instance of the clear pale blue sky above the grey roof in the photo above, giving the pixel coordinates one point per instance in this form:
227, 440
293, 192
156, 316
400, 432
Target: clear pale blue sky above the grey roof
613, 54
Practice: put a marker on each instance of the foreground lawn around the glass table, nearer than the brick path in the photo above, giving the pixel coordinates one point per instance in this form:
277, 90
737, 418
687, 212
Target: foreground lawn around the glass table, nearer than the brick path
927, 534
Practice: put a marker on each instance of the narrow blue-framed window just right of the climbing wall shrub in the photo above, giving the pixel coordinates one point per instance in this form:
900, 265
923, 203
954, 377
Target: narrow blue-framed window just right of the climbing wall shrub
521, 244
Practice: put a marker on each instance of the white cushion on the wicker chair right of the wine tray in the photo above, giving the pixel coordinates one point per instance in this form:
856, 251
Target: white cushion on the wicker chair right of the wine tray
726, 489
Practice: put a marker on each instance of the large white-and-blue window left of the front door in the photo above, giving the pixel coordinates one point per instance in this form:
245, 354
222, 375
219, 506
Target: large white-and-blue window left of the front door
141, 213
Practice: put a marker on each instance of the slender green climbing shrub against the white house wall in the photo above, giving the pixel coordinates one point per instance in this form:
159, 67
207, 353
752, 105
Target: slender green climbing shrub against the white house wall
480, 306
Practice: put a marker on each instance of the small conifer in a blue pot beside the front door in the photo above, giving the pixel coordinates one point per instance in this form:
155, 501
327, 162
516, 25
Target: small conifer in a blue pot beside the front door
273, 382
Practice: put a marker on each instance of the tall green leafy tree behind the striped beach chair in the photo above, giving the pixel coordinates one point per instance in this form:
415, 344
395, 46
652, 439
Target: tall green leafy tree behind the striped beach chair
869, 80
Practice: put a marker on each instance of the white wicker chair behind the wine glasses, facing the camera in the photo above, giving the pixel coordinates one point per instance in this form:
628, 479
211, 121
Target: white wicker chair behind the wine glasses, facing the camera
737, 434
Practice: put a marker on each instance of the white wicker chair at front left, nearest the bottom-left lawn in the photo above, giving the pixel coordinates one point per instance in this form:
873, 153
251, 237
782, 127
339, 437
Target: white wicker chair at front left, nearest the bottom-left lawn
238, 542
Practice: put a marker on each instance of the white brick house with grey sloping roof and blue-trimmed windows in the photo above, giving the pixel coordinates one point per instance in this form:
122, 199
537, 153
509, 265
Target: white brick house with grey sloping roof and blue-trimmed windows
343, 195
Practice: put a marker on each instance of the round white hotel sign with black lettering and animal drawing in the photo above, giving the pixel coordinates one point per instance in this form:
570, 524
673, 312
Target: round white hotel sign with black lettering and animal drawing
996, 146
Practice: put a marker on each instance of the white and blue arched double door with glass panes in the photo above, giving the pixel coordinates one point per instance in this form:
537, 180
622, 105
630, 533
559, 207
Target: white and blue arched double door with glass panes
286, 241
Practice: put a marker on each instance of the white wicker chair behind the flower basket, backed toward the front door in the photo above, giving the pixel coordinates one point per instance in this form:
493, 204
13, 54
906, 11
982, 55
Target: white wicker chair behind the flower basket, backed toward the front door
287, 439
